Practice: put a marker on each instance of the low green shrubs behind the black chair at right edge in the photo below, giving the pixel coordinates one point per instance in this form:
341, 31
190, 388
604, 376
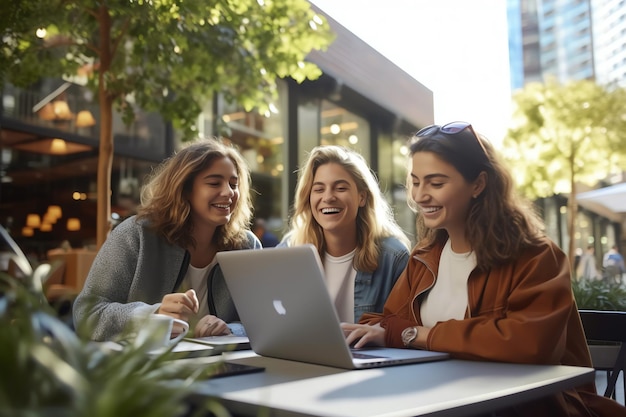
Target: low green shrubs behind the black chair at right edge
599, 295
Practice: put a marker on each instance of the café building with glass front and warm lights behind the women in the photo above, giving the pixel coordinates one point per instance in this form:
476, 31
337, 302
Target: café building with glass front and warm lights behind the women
49, 153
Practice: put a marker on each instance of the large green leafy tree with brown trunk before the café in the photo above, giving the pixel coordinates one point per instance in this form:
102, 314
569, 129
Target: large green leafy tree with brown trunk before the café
167, 56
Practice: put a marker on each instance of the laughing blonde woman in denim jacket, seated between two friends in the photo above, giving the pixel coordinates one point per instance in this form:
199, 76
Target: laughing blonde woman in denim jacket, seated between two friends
340, 209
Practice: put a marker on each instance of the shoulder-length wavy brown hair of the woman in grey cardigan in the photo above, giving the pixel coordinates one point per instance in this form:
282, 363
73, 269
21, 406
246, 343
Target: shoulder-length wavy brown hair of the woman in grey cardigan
163, 201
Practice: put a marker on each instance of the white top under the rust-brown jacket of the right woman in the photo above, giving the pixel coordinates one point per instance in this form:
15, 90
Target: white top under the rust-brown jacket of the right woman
448, 298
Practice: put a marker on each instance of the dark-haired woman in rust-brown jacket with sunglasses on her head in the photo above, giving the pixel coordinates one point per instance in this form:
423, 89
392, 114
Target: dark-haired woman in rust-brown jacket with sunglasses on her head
483, 282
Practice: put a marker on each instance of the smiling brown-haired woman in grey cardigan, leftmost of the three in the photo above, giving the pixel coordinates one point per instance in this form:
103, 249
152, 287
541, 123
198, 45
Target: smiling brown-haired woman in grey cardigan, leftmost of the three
162, 260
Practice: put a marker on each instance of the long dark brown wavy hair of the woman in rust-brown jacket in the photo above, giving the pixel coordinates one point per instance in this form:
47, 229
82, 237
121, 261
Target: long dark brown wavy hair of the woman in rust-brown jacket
499, 222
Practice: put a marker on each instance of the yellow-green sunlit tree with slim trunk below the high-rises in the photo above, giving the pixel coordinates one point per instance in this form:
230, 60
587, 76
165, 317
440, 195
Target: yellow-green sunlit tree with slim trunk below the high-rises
563, 135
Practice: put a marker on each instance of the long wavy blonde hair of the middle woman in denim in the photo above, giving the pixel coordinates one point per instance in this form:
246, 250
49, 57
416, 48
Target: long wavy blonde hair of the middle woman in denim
374, 221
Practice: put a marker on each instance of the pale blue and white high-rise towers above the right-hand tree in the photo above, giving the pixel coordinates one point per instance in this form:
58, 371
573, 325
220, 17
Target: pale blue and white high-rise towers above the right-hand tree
567, 40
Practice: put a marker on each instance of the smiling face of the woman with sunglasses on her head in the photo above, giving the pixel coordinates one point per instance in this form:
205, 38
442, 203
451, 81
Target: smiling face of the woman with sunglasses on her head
442, 194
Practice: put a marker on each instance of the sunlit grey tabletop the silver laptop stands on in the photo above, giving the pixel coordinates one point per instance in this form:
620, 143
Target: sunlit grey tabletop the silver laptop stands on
451, 387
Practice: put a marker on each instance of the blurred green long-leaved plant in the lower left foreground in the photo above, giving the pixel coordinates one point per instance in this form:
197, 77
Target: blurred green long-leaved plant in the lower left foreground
47, 370
